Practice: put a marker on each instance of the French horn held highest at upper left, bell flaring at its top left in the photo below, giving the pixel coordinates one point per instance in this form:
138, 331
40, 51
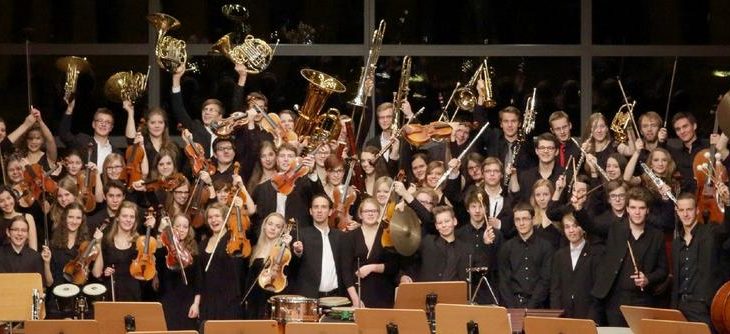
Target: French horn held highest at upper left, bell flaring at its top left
169, 51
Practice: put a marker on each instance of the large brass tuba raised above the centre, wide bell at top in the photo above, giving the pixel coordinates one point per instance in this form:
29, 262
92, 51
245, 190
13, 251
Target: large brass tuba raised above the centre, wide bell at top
321, 85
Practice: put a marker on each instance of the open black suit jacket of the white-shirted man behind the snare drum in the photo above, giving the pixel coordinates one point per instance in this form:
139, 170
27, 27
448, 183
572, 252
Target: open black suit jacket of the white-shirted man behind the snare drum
307, 269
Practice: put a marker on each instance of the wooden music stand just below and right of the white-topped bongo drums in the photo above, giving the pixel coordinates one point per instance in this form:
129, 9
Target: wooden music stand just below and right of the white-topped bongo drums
112, 316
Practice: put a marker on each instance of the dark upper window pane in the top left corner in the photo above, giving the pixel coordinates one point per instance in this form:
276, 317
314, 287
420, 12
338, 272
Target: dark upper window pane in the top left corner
66, 21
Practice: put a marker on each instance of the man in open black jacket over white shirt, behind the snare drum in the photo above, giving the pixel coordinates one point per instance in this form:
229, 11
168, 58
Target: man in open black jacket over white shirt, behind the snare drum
318, 254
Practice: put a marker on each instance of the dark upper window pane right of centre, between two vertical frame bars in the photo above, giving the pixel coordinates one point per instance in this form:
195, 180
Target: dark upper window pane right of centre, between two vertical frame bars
480, 22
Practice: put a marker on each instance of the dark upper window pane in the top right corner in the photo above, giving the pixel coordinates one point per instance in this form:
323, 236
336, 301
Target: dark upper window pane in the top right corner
660, 22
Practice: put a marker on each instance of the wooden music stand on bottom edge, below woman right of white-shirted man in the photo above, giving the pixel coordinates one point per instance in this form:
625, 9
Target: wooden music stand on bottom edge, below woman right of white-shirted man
376, 321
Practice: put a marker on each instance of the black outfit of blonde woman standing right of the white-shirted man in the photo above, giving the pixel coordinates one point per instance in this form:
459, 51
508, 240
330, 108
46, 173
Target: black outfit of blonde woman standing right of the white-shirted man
378, 289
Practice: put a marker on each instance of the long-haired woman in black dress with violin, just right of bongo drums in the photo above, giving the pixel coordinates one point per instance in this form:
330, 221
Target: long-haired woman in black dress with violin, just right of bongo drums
119, 253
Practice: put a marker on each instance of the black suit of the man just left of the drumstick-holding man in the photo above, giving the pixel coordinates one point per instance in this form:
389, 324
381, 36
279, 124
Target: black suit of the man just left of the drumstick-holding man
570, 288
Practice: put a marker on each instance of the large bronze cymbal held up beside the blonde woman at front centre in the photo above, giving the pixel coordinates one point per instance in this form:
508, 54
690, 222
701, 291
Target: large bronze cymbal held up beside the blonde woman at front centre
405, 231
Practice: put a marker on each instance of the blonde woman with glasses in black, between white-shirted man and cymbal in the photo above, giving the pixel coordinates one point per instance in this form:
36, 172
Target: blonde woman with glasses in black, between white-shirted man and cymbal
364, 257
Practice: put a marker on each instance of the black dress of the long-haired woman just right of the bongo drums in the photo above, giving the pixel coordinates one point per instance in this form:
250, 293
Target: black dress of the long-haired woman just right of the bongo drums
126, 288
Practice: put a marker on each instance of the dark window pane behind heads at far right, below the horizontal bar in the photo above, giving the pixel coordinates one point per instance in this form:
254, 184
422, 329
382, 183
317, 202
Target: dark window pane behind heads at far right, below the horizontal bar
696, 87
